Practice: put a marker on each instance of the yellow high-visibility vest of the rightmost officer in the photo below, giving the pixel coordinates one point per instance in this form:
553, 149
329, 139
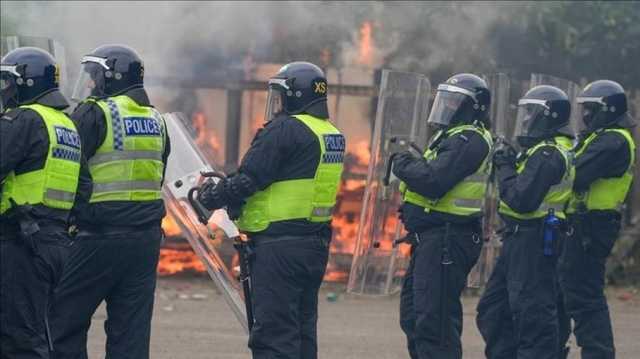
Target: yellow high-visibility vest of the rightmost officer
606, 193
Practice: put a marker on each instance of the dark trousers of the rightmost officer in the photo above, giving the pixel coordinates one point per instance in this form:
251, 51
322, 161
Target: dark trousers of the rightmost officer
582, 275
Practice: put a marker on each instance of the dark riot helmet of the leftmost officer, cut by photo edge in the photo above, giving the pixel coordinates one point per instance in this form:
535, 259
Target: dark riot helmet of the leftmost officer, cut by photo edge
27, 74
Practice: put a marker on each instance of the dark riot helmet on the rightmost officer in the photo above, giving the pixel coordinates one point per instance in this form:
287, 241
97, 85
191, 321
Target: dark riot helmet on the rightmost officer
603, 104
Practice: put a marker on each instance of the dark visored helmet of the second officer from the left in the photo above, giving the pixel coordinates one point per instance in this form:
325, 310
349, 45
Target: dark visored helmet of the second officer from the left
109, 70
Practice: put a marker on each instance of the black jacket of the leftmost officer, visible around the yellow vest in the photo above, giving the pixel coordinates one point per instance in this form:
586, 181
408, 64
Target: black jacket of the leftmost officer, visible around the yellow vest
24, 145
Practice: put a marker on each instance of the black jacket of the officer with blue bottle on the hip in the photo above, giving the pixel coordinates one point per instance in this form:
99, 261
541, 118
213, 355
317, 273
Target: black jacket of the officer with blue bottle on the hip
524, 192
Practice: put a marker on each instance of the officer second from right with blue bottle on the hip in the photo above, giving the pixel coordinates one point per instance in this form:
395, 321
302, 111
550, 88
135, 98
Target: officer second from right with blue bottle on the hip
517, 314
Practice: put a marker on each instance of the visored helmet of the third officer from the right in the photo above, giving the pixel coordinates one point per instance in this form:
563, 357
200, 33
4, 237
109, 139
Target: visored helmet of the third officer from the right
462, 99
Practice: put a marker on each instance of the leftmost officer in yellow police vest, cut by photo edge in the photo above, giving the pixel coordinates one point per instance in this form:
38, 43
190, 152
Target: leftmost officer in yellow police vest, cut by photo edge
40, 151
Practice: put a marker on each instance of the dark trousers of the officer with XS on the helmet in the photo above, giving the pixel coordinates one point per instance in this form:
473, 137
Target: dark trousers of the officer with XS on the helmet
286, 274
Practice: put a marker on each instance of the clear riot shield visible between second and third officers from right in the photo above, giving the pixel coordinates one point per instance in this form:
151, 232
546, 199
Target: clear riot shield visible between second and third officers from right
501, 127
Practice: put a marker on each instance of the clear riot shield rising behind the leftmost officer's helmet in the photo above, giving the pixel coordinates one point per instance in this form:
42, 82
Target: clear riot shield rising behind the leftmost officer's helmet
8, 43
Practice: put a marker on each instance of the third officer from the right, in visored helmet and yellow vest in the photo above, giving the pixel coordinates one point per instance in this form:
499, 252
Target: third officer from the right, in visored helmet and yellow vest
443, 198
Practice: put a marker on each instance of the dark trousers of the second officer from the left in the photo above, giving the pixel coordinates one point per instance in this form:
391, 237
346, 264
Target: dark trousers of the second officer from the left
119, 268
